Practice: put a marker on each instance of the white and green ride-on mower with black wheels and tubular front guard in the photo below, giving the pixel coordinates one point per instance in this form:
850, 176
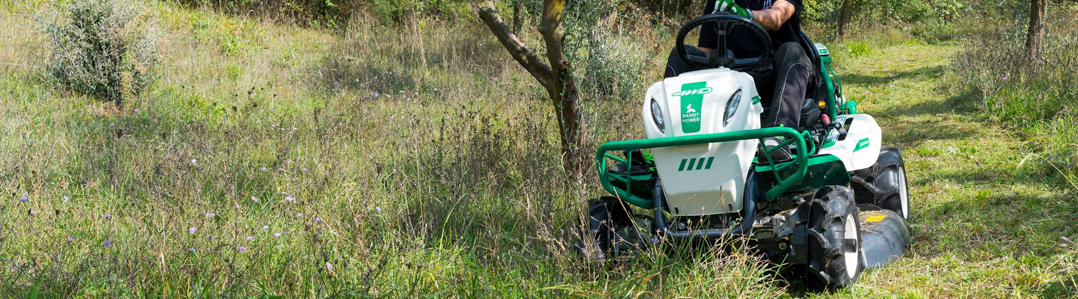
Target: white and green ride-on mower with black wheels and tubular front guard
836, 206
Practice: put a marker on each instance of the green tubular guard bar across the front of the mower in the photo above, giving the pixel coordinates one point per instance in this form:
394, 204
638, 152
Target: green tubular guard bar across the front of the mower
793, 138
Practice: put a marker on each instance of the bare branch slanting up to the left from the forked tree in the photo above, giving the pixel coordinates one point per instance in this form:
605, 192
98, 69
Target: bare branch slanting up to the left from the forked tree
518, 50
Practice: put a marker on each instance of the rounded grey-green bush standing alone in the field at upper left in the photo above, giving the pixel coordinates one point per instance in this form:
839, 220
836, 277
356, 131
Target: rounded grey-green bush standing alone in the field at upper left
99, 49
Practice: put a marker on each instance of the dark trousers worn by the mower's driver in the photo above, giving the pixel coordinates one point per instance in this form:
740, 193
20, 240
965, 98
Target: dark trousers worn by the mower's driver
786, 77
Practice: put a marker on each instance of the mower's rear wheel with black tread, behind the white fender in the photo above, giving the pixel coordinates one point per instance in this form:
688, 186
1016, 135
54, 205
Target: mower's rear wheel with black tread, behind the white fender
884, 185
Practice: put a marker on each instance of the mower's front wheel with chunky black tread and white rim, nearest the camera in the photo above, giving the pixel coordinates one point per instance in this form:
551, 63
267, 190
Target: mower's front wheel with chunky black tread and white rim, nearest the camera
835, 239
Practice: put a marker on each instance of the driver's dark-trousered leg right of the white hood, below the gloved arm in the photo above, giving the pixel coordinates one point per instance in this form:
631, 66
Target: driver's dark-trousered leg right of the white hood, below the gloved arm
794, 72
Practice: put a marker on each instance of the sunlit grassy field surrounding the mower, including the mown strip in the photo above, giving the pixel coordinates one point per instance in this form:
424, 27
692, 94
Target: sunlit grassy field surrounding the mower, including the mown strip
421, 161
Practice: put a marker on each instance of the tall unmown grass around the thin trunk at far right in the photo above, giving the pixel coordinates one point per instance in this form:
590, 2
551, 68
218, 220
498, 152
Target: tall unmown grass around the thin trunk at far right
1042, 98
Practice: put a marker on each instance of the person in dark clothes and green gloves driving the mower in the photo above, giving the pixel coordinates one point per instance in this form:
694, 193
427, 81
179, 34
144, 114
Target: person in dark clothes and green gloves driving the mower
783, 81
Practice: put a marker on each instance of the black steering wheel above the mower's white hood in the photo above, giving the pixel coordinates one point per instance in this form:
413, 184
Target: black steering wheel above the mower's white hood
723, 23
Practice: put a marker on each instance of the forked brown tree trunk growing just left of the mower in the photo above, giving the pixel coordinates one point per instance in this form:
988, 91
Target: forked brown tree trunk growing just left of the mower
557, 77
